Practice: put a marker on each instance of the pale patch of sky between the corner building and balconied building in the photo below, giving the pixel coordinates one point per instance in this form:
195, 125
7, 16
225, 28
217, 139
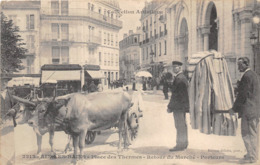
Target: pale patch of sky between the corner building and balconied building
130, 21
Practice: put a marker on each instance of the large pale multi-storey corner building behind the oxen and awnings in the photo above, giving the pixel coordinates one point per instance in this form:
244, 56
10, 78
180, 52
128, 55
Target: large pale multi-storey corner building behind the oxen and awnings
74, 32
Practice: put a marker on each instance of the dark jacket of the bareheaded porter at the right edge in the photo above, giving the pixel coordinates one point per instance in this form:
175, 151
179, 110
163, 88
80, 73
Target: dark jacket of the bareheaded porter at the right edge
247, 101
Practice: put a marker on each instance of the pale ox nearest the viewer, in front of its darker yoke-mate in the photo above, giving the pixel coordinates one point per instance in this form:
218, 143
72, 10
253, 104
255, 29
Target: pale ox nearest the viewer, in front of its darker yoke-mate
80, 113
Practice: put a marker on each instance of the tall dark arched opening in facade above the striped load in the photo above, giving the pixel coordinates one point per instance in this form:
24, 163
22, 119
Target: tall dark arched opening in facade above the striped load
213, 22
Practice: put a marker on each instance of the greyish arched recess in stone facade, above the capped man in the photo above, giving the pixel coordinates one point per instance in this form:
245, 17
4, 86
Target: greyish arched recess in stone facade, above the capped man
184, 41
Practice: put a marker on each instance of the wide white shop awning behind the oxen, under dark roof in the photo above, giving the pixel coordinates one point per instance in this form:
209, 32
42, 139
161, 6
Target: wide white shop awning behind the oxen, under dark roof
58, 75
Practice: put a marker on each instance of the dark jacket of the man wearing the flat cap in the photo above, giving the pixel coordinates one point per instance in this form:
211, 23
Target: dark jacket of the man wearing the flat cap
179, 99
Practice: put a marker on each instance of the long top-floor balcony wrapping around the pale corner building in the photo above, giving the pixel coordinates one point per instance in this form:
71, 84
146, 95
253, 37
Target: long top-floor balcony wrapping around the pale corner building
79, 13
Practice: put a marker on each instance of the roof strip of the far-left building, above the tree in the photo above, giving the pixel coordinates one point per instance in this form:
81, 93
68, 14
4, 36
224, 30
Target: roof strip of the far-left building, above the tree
21, 4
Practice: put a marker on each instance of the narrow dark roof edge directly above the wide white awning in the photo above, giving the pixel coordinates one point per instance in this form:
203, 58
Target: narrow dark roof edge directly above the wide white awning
61, 67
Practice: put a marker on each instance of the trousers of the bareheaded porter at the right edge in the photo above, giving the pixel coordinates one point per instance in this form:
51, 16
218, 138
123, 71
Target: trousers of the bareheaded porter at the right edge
250, 135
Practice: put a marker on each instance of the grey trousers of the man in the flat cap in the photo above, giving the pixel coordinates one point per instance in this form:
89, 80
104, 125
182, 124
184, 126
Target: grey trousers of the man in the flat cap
181, 128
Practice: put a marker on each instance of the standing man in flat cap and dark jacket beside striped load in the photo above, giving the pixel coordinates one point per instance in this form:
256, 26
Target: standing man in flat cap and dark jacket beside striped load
179, 105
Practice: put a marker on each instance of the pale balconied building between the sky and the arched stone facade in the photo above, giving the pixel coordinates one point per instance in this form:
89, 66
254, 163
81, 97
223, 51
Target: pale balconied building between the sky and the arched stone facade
154, 43
